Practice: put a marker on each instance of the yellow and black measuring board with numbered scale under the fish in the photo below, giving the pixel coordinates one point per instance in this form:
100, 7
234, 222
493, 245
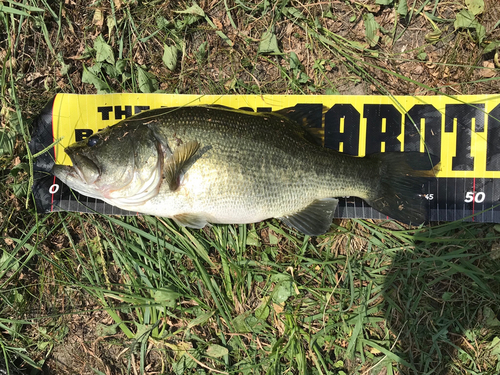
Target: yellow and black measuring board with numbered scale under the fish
462, 133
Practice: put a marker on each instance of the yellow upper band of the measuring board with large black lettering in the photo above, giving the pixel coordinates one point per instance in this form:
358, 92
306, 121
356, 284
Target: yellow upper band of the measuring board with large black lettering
455, 129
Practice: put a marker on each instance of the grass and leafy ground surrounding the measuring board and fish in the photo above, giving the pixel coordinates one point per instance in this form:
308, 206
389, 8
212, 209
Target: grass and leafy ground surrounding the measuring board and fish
112, 295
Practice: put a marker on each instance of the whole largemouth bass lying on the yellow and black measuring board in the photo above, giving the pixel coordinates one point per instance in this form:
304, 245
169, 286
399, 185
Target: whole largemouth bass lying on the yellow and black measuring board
211, 164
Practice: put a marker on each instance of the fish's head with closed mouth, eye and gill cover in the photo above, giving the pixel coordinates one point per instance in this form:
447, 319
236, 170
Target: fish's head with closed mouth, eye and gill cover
121, 165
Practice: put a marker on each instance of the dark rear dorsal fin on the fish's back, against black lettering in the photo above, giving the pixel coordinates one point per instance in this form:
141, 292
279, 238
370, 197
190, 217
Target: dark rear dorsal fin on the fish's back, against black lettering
309, 117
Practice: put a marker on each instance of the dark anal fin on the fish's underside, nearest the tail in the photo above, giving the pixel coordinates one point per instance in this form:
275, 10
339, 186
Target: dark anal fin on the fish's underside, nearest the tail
315, 219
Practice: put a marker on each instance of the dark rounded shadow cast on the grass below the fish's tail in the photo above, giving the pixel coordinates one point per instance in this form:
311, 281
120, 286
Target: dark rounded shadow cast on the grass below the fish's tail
443, 299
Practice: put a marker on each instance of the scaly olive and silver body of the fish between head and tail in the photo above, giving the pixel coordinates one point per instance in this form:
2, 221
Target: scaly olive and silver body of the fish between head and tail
257, 164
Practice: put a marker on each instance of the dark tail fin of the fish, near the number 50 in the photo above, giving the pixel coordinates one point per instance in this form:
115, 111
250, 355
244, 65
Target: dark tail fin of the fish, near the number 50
400, 193
